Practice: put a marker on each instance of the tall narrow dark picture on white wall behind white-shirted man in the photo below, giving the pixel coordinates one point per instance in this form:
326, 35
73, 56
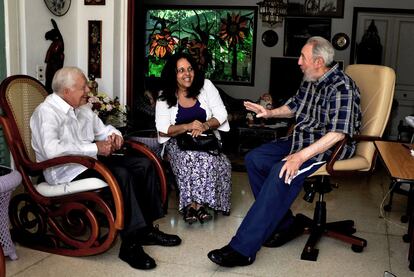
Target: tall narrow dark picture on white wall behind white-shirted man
95, 48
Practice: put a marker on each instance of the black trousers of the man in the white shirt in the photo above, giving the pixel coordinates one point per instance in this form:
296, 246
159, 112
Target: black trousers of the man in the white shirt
138, 182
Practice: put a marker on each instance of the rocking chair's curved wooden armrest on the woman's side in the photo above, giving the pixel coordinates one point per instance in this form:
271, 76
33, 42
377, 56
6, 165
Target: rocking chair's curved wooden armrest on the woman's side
144, 149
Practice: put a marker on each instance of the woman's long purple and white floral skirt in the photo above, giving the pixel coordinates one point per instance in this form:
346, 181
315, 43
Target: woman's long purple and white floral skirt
201, 177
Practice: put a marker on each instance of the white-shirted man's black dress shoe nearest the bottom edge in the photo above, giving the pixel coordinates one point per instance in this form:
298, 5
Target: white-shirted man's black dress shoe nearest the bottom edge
134, 255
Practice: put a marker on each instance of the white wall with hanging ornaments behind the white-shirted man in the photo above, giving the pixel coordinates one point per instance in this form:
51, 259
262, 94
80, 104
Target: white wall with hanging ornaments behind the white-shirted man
35, 22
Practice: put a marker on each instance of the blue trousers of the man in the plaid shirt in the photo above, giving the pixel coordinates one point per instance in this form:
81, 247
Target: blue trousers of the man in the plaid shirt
273, 197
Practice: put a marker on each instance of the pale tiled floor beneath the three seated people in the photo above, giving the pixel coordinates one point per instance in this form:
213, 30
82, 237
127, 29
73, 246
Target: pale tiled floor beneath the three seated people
357, 198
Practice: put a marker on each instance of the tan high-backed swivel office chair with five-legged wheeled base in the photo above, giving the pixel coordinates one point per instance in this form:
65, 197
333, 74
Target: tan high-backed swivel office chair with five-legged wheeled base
376, 84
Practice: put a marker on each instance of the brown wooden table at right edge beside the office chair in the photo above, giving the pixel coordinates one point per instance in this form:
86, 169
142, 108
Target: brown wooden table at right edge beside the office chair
400, 165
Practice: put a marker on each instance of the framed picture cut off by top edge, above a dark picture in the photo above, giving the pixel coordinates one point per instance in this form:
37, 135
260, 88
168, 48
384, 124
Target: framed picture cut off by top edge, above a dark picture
318, 8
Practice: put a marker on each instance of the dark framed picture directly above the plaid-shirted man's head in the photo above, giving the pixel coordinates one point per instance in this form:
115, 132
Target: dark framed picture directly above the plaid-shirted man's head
298, 30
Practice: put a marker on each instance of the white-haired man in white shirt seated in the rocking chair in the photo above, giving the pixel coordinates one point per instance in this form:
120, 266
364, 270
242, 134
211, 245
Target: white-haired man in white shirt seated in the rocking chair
63, 125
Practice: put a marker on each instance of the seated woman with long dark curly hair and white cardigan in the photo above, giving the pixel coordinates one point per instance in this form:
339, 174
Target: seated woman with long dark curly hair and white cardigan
190, 103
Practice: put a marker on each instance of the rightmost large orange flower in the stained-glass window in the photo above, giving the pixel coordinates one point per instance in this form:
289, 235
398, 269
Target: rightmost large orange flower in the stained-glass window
234, 29
